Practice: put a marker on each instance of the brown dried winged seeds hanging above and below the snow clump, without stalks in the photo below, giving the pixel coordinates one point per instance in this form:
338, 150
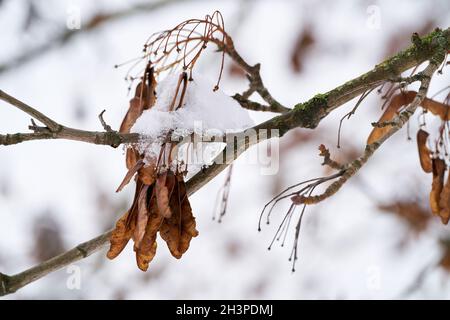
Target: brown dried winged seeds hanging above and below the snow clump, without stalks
160, 202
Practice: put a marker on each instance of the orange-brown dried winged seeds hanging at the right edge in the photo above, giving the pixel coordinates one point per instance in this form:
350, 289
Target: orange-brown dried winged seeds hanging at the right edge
431, 161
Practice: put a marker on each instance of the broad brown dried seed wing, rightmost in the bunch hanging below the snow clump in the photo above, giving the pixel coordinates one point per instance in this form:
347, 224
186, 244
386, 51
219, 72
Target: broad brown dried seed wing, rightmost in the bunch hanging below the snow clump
179, 229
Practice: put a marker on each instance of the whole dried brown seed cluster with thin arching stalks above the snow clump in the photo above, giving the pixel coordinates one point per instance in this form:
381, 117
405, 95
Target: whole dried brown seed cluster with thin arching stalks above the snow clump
161, 203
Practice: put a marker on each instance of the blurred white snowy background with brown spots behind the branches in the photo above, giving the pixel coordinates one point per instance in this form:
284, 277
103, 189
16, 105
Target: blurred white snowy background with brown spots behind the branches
374, 239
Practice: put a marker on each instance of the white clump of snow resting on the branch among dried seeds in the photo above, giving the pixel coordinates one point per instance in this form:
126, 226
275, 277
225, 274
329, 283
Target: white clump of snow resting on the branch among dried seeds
204, 112
